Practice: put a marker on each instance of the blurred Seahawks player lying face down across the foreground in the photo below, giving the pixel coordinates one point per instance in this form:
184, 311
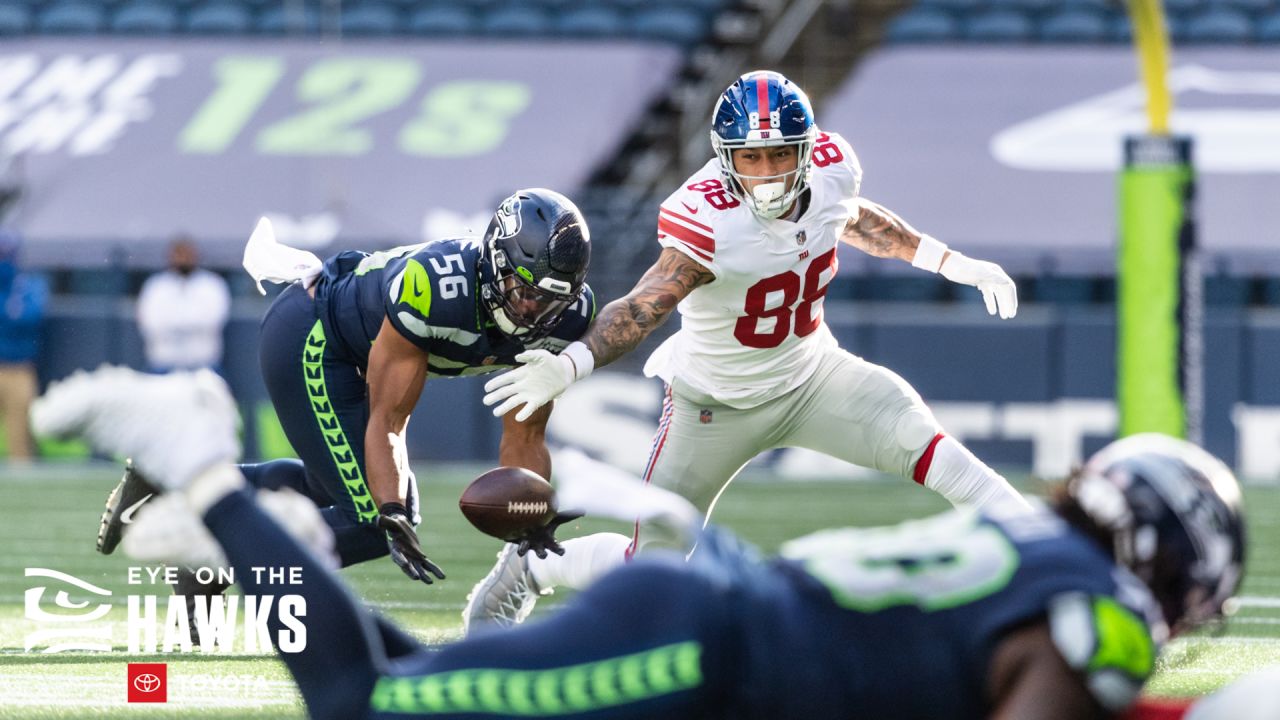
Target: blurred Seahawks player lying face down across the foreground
1057, 613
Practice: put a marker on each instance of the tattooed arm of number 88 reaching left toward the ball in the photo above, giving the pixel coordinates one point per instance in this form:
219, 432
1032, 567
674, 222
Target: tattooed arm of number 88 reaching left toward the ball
627, 322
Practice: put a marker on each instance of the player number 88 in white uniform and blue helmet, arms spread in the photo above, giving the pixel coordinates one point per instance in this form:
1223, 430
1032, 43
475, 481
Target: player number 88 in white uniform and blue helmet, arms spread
749, 249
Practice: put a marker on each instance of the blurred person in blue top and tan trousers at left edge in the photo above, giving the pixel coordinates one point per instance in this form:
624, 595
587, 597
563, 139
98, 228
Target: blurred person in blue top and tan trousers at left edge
22, 307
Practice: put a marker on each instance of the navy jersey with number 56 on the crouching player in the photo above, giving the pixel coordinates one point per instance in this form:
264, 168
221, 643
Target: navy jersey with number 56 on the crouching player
431, 295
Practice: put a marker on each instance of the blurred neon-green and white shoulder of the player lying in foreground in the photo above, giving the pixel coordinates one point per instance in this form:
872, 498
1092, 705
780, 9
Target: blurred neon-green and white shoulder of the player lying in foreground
1107, 642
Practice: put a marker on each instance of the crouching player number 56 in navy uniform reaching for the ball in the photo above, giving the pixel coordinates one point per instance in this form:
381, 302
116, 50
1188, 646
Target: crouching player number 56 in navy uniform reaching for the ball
348, 348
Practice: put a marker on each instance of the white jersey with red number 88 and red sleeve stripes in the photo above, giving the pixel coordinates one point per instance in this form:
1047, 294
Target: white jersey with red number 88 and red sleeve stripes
757, 331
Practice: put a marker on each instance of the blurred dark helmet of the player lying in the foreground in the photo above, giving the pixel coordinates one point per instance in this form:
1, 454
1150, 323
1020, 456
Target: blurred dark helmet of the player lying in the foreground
1173, 513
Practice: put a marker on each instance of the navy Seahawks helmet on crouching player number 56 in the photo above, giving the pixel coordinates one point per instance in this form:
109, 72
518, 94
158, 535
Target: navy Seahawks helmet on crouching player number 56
534, 263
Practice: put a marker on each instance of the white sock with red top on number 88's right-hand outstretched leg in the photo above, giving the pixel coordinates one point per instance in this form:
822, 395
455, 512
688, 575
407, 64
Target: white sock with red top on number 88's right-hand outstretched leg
949, 470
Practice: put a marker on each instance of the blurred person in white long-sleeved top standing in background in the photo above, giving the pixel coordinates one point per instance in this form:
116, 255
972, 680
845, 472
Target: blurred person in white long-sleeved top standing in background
182, 313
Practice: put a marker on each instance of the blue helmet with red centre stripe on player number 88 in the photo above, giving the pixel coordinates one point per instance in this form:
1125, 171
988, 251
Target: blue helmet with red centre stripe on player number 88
765, 110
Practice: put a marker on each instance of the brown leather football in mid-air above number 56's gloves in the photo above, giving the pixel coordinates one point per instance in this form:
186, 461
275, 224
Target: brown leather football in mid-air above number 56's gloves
506, 503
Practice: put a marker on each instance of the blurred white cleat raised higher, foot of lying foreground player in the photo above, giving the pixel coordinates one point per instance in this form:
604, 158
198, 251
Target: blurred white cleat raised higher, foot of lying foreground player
173, 426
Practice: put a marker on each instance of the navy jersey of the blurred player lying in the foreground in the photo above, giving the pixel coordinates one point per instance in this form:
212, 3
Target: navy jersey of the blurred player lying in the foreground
903, 622
